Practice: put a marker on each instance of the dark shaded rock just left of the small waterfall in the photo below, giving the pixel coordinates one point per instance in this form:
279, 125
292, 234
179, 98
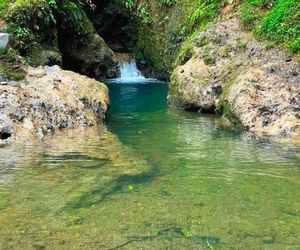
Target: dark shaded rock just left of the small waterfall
95, 59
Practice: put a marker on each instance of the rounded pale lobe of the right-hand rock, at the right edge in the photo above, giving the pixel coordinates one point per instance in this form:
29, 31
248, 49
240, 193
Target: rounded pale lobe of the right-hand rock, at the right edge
265, 102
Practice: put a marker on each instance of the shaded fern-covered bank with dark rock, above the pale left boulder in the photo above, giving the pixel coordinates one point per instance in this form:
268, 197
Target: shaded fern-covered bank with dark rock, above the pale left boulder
57, 32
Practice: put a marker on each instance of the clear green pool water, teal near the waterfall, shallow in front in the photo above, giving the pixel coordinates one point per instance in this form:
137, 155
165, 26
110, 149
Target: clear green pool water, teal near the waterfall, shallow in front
152, 179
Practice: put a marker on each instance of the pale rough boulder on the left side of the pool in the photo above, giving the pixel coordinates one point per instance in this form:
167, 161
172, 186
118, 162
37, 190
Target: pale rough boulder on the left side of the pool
50, 99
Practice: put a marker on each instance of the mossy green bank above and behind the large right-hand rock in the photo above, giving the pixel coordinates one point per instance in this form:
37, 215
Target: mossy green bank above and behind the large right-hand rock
167, 27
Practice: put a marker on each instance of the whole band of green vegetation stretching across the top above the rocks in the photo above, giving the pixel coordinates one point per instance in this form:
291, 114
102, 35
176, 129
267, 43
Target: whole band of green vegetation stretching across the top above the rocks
154, 29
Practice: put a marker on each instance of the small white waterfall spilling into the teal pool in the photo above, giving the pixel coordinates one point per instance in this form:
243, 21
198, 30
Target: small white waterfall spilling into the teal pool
129, 73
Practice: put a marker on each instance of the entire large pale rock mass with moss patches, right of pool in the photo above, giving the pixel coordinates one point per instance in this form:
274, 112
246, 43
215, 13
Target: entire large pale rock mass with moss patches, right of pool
231, 73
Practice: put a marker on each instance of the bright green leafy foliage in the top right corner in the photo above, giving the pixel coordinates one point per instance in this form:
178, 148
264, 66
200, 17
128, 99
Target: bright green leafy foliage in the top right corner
275, 20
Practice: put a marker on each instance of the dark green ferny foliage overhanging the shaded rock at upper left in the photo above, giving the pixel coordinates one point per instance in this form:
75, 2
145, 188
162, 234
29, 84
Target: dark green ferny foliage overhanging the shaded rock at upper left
35, 22
